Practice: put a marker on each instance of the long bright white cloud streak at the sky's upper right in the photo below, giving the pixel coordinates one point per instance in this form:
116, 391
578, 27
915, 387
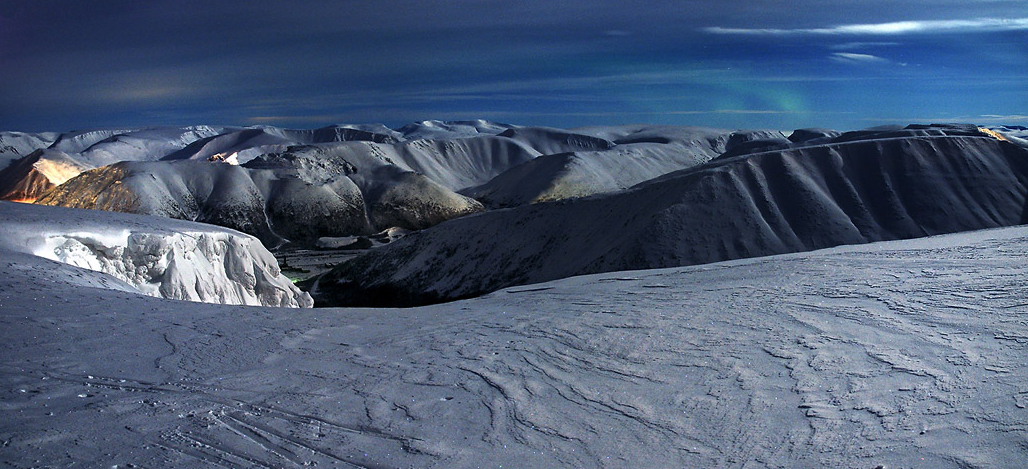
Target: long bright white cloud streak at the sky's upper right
895, 28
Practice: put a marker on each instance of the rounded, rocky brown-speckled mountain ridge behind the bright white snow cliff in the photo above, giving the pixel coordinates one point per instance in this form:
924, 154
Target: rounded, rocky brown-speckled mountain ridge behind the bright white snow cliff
277, 205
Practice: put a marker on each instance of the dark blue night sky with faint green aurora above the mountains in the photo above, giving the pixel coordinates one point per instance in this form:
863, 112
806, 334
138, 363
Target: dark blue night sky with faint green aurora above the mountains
787, 64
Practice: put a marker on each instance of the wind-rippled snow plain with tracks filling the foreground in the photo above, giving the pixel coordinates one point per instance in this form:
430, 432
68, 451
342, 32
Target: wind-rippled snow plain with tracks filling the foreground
901, 355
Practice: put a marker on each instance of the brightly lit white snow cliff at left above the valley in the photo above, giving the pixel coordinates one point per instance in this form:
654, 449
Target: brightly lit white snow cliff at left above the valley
157, 258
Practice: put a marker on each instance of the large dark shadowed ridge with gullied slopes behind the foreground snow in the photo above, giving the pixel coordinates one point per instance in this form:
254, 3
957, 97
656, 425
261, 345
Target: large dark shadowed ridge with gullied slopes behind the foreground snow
857, 190
